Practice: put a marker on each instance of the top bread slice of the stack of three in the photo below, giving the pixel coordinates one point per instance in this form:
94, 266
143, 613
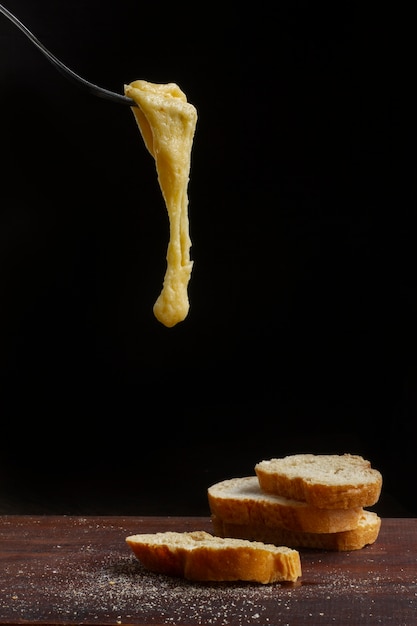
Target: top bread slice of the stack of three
323, 480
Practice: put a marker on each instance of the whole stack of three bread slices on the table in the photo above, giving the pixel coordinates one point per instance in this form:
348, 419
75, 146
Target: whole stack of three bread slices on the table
301, 501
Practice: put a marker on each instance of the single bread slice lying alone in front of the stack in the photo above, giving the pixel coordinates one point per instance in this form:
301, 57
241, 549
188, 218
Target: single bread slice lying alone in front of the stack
200, 556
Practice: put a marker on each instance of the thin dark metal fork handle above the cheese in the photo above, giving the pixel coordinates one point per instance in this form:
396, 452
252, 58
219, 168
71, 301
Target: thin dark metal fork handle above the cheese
66, 71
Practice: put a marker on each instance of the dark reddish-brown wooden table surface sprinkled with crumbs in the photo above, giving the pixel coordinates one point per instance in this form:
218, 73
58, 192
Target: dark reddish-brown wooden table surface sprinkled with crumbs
79, 570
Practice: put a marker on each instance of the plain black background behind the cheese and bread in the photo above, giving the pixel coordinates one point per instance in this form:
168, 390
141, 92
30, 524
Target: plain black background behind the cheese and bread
301, 336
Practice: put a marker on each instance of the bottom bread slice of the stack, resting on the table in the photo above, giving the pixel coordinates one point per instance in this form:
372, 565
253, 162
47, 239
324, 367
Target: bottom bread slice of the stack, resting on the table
365, 533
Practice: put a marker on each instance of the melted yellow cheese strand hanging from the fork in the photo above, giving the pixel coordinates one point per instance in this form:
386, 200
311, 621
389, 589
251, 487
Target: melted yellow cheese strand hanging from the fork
167, 124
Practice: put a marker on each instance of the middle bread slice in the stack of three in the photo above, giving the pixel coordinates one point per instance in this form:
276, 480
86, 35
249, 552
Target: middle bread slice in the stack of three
241, 501
